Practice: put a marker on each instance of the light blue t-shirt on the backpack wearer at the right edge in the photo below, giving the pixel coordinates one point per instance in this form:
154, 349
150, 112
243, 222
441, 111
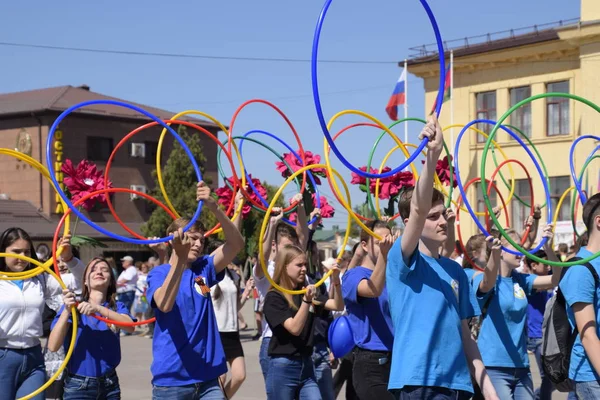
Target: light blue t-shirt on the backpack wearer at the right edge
578, 286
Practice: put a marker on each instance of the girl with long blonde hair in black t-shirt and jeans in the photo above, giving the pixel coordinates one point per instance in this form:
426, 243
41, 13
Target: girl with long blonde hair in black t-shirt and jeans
291, 372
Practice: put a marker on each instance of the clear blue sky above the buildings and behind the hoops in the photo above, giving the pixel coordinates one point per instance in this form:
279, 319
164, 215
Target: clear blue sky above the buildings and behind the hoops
380, 30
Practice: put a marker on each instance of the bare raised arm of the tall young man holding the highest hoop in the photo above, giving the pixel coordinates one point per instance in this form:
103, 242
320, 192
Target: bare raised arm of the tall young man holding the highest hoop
423, 192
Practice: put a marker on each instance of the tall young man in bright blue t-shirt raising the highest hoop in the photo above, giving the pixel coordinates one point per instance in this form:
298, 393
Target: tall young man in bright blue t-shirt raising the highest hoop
430, 298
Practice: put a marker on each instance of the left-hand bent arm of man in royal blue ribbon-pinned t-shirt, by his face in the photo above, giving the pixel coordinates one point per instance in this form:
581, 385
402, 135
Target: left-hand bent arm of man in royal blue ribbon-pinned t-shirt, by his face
164, 297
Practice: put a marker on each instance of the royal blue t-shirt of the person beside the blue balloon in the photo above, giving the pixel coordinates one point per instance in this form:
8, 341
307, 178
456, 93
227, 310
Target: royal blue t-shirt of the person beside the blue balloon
369, 318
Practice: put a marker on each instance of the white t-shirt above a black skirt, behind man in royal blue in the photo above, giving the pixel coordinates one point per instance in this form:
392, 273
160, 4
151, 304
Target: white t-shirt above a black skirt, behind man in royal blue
226, 304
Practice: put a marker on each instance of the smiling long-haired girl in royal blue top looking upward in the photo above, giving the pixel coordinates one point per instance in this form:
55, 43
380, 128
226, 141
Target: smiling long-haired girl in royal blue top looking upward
91, 369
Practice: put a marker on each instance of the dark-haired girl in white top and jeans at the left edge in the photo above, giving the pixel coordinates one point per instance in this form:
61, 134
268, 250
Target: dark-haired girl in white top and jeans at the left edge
21, 362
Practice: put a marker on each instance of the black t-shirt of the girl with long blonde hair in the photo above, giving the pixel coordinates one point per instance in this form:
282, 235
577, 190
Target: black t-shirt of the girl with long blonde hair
277, 310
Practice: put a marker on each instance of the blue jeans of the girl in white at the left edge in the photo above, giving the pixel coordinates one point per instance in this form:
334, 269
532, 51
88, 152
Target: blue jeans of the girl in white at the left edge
22, 371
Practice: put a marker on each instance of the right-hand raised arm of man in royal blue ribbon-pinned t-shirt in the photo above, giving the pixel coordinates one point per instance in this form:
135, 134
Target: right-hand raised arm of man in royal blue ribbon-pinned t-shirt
234, 242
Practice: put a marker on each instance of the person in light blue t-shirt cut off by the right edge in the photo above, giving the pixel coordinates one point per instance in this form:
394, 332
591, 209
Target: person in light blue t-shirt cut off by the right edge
583, 297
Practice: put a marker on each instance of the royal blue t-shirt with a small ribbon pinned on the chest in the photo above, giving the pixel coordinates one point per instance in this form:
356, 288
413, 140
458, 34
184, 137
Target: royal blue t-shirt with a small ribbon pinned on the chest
187, 347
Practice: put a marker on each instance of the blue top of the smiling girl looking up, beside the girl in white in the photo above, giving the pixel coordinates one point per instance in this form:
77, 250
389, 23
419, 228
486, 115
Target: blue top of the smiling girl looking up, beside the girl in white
97, 348
